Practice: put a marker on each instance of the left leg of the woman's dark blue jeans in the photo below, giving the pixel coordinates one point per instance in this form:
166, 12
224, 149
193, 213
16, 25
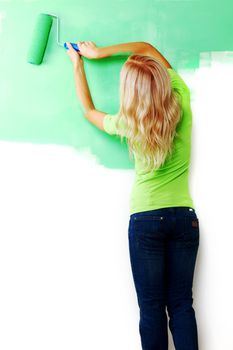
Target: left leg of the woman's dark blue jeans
147, 257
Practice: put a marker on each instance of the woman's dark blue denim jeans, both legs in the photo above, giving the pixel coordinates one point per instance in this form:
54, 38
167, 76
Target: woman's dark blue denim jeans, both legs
163, 245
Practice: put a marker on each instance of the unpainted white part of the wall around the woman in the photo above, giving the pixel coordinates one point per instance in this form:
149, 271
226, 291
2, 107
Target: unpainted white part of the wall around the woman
65, 275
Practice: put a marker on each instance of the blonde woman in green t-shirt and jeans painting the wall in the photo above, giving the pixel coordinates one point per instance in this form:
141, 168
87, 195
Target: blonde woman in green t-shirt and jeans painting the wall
156, 118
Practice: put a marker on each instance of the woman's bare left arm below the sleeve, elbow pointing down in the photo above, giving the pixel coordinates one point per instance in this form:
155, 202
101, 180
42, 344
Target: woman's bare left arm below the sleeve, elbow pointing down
94, 116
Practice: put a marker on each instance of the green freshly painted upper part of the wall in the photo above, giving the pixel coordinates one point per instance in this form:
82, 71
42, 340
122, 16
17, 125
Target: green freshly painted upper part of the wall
39, 103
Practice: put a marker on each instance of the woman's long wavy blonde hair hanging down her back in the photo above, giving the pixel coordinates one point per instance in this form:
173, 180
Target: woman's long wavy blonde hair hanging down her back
149, 108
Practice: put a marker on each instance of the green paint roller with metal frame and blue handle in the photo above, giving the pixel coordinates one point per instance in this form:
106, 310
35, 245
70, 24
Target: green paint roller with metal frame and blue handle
40, 38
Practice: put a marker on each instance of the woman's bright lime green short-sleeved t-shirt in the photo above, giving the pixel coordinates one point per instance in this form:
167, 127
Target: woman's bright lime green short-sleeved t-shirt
167, 186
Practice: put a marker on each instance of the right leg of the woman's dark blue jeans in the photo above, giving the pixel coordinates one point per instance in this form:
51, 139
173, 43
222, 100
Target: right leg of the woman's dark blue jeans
180, 263
